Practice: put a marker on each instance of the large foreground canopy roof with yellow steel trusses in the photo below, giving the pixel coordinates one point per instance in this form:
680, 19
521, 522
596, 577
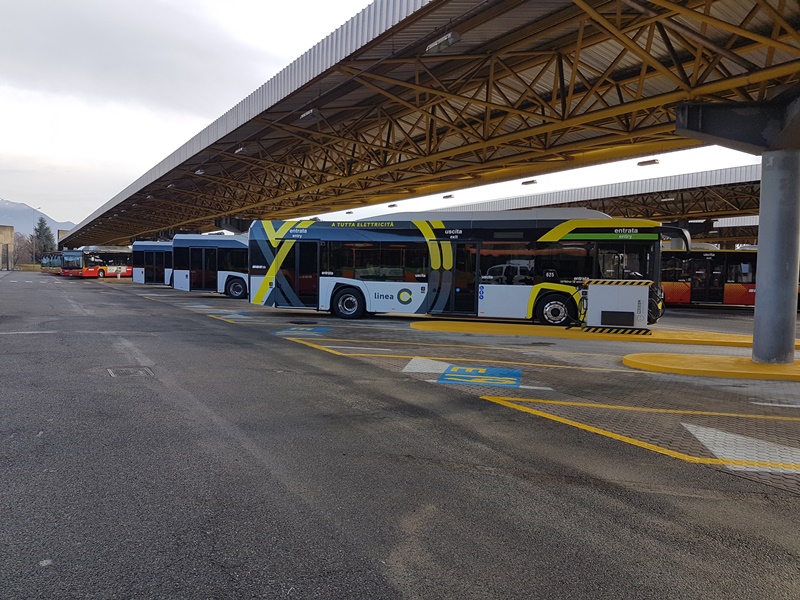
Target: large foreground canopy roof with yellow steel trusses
531, 87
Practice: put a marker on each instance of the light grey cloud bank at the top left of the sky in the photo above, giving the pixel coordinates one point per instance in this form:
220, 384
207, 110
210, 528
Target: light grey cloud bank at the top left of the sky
155, 53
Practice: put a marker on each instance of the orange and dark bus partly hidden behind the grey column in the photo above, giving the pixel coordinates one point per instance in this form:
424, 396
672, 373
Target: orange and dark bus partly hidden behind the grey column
708, 275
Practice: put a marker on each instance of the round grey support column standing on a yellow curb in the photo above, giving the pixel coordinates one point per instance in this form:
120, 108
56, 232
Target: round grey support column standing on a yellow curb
774, 327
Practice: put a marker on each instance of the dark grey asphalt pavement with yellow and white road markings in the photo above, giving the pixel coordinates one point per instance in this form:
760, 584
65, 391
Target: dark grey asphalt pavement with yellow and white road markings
161, 444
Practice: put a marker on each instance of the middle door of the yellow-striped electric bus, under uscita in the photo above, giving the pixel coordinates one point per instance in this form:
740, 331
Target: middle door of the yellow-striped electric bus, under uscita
455, 290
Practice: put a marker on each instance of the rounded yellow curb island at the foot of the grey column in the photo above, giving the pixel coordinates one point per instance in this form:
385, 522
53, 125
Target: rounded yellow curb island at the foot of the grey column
710, 365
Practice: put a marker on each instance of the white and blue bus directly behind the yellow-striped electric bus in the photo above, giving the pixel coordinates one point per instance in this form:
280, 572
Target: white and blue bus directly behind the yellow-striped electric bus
210, 263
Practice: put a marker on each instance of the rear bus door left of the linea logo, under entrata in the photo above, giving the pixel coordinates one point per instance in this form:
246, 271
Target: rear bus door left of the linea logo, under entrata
298, 282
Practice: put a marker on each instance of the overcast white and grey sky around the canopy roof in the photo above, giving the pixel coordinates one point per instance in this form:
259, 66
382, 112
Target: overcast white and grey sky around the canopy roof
93, 93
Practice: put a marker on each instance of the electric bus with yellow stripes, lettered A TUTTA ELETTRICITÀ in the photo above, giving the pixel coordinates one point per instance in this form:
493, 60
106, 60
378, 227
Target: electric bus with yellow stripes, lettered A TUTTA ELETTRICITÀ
528, 264
